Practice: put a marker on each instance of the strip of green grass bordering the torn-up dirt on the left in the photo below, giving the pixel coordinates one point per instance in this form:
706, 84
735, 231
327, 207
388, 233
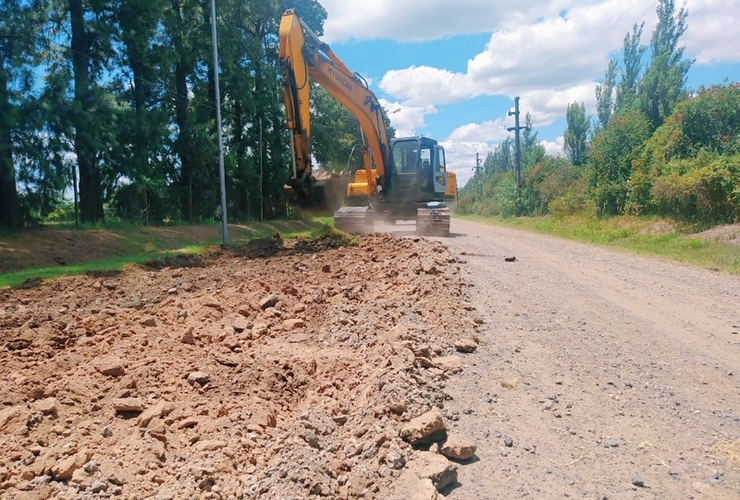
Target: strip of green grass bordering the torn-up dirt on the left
150, 244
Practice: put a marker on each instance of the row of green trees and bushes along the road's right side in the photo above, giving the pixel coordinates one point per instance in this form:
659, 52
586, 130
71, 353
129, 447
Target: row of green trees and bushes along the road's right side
655, 148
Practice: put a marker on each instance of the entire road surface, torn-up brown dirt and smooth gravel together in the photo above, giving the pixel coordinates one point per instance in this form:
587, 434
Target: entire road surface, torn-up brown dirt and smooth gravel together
288, 372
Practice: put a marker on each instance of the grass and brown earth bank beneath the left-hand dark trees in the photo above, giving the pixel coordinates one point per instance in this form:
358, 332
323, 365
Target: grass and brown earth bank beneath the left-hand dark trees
108, 250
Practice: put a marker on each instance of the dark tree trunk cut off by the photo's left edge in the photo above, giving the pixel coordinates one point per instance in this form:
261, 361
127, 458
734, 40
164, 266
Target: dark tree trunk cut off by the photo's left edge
9, 209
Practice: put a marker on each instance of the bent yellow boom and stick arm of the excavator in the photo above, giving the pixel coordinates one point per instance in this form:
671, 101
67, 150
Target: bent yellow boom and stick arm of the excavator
303, 57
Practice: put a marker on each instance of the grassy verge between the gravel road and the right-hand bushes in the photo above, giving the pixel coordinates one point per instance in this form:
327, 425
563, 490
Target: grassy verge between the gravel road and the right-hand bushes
651, 236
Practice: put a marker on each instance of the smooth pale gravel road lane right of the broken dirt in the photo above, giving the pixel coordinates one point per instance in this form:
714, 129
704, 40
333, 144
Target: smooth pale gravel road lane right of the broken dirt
600, 374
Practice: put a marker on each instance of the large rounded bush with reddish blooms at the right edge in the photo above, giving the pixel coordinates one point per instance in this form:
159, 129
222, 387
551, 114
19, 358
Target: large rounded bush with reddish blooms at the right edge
689, 166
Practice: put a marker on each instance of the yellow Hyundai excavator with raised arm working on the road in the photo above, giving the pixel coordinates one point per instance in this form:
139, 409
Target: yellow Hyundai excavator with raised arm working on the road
401, 179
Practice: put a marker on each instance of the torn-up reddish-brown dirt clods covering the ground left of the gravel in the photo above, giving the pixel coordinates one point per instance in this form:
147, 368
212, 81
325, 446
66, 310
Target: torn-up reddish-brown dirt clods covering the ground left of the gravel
232, 378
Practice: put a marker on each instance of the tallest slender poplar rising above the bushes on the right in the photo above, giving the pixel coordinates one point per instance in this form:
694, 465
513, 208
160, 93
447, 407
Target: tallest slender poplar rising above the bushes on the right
664, 80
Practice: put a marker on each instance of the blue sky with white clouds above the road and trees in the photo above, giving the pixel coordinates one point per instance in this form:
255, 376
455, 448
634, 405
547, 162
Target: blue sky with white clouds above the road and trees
451, 69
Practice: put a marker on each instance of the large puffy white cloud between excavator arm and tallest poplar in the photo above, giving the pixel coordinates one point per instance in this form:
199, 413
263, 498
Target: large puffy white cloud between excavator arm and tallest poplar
547, 62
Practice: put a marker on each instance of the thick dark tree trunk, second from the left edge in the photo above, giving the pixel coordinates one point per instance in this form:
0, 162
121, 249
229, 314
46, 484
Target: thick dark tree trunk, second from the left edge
91, 189
